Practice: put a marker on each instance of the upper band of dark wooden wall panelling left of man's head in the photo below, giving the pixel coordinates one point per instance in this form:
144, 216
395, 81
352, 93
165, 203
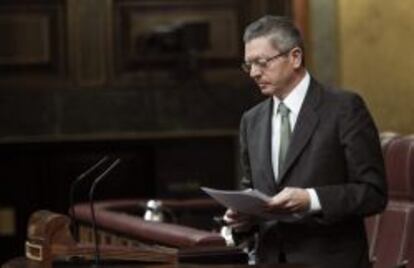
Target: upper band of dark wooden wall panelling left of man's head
99, 43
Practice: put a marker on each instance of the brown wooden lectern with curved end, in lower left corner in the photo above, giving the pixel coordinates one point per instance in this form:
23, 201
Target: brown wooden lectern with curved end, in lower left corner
49, 240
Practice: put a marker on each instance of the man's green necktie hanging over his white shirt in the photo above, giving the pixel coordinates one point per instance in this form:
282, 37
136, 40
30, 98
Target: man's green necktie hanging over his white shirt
285, 133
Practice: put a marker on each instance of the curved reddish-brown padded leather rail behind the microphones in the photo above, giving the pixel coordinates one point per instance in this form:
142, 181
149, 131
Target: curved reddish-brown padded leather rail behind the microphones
120, 222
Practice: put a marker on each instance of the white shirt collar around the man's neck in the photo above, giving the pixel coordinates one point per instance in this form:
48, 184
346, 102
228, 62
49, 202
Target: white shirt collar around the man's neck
295, 98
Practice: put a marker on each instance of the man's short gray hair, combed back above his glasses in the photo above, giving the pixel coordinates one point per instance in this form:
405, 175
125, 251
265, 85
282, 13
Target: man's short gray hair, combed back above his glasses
281, 31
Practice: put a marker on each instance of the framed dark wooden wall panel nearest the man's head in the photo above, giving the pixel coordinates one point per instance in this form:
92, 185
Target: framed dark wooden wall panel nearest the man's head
134, 21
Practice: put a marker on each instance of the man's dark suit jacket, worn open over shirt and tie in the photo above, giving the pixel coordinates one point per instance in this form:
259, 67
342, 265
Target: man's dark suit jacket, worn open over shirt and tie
334, 149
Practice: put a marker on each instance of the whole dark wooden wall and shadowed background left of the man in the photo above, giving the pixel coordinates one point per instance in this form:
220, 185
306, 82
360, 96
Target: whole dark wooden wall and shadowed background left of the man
77, 83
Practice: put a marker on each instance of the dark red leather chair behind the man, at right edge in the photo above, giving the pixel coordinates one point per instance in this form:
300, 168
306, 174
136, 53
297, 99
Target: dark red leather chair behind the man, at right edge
391, 234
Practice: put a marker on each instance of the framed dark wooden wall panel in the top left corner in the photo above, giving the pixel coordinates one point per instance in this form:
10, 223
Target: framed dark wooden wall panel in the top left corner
32, 50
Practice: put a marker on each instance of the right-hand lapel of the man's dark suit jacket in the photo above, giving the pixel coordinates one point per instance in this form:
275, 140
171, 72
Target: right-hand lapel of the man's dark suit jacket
304, 128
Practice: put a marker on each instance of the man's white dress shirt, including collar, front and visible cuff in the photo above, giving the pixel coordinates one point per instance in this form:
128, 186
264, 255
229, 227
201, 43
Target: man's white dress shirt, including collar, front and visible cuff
293, 101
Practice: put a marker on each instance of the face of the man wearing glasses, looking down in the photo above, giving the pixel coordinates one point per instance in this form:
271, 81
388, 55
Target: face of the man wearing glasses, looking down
275, 75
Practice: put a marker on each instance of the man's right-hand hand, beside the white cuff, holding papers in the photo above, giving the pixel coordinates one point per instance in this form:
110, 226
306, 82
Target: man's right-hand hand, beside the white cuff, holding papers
289, 200
